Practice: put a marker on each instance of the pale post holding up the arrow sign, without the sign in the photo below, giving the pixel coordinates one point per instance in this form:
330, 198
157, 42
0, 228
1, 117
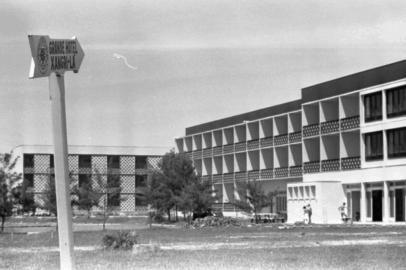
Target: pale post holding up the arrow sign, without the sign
57, 96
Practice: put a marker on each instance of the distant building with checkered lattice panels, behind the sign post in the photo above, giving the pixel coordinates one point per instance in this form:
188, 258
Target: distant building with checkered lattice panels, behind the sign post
126, 168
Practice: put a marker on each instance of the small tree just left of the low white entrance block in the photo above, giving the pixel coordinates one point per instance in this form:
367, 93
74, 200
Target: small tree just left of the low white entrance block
253, 198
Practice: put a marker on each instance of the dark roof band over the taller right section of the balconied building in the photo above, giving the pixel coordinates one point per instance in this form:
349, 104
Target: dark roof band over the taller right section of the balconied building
356, 81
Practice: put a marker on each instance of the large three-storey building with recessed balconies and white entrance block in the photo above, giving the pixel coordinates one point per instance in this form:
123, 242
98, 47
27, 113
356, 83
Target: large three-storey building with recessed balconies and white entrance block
344, 141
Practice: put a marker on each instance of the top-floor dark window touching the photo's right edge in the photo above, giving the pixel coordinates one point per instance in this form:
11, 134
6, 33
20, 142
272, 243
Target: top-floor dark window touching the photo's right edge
396, 102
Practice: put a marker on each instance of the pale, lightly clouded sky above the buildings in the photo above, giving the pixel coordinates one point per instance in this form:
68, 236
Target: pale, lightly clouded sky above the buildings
187, 62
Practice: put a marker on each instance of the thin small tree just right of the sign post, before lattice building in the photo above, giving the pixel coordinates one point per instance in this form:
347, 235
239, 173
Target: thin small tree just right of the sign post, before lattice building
87, 194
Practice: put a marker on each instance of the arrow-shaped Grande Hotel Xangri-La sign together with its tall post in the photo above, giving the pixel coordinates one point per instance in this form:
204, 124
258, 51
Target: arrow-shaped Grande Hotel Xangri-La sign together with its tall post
51, 58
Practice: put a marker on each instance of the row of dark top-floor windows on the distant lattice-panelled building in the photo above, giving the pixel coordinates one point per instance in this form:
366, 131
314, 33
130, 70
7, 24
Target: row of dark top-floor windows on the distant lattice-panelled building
85, 161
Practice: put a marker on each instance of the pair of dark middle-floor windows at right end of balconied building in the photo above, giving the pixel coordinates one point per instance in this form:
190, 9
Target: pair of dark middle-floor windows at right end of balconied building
396, 142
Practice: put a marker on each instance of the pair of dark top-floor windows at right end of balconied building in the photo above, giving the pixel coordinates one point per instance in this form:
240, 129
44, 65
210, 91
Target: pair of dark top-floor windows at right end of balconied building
395, 104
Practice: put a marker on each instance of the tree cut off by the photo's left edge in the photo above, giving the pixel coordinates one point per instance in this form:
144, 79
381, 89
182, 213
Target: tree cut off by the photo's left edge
8, 184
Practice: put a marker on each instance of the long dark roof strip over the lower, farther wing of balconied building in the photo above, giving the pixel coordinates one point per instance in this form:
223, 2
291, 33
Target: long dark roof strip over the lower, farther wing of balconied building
249, 116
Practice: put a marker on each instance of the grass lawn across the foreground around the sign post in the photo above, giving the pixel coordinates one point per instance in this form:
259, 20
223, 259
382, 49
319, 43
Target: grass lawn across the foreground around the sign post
257, 247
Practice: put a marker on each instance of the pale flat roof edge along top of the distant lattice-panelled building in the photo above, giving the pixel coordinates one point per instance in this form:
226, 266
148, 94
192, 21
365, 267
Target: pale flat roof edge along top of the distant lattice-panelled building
94, 150
